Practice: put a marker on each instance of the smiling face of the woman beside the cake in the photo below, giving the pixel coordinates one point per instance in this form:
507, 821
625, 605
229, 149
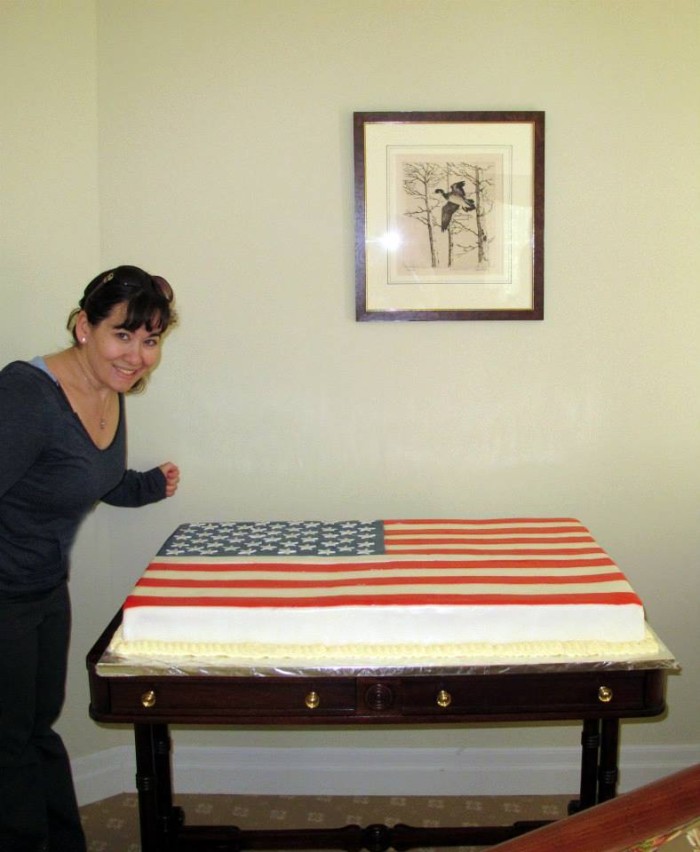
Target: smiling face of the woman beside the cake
116, 357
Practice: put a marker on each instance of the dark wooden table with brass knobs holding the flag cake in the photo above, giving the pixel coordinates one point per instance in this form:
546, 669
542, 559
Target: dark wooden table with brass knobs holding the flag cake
597, 693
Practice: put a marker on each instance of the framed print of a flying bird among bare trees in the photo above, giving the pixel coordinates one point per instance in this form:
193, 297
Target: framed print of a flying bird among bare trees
449, 215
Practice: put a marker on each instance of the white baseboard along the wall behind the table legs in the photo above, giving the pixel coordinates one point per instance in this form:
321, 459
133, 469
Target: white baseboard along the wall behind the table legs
373, 772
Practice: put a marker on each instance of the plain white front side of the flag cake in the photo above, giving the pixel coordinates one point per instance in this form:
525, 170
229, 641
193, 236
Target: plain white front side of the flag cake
385, 625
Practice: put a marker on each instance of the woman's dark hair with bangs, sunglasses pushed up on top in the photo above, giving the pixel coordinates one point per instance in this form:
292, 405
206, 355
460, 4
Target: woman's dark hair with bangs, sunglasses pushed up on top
148, 300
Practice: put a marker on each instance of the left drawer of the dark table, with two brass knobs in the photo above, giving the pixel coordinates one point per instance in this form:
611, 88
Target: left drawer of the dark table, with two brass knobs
264, 697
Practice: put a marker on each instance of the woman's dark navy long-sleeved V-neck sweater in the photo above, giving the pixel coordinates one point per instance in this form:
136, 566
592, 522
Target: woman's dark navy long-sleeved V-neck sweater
51, 475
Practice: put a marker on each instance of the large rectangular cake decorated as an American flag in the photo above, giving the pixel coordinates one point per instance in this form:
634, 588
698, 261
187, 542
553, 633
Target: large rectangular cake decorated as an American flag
393, 582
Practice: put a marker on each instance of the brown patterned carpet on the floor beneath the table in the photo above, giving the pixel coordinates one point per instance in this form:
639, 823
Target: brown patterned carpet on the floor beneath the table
112, 824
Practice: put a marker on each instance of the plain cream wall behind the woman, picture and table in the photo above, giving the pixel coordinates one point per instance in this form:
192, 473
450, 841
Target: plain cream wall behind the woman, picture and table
225, 163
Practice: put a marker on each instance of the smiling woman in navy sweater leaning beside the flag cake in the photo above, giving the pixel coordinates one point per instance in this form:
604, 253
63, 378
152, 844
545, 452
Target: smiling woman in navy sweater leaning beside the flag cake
63, 448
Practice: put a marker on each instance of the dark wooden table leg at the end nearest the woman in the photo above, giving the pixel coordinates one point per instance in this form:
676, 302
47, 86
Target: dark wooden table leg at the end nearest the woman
157, 816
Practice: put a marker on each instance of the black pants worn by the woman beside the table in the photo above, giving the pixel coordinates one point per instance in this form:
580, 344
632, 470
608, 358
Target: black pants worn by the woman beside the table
38, 808
